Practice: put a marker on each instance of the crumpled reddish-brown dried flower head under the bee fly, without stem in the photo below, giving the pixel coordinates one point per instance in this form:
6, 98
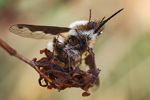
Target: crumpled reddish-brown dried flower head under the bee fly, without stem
65, 77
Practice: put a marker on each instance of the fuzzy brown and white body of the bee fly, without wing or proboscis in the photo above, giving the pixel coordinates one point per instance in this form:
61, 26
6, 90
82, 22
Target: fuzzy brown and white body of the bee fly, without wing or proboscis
76, 43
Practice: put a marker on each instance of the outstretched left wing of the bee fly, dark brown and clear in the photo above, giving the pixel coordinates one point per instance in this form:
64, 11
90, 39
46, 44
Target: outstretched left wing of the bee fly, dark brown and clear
37, 32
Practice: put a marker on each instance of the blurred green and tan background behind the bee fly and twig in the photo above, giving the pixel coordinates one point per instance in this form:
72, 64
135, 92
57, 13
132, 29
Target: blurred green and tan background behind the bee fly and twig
122, 51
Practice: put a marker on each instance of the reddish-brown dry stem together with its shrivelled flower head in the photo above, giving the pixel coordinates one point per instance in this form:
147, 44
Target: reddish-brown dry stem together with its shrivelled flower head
54, 75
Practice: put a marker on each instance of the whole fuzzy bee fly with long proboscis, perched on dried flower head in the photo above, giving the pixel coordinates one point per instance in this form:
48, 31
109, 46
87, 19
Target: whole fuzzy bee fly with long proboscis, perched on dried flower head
70, 44
